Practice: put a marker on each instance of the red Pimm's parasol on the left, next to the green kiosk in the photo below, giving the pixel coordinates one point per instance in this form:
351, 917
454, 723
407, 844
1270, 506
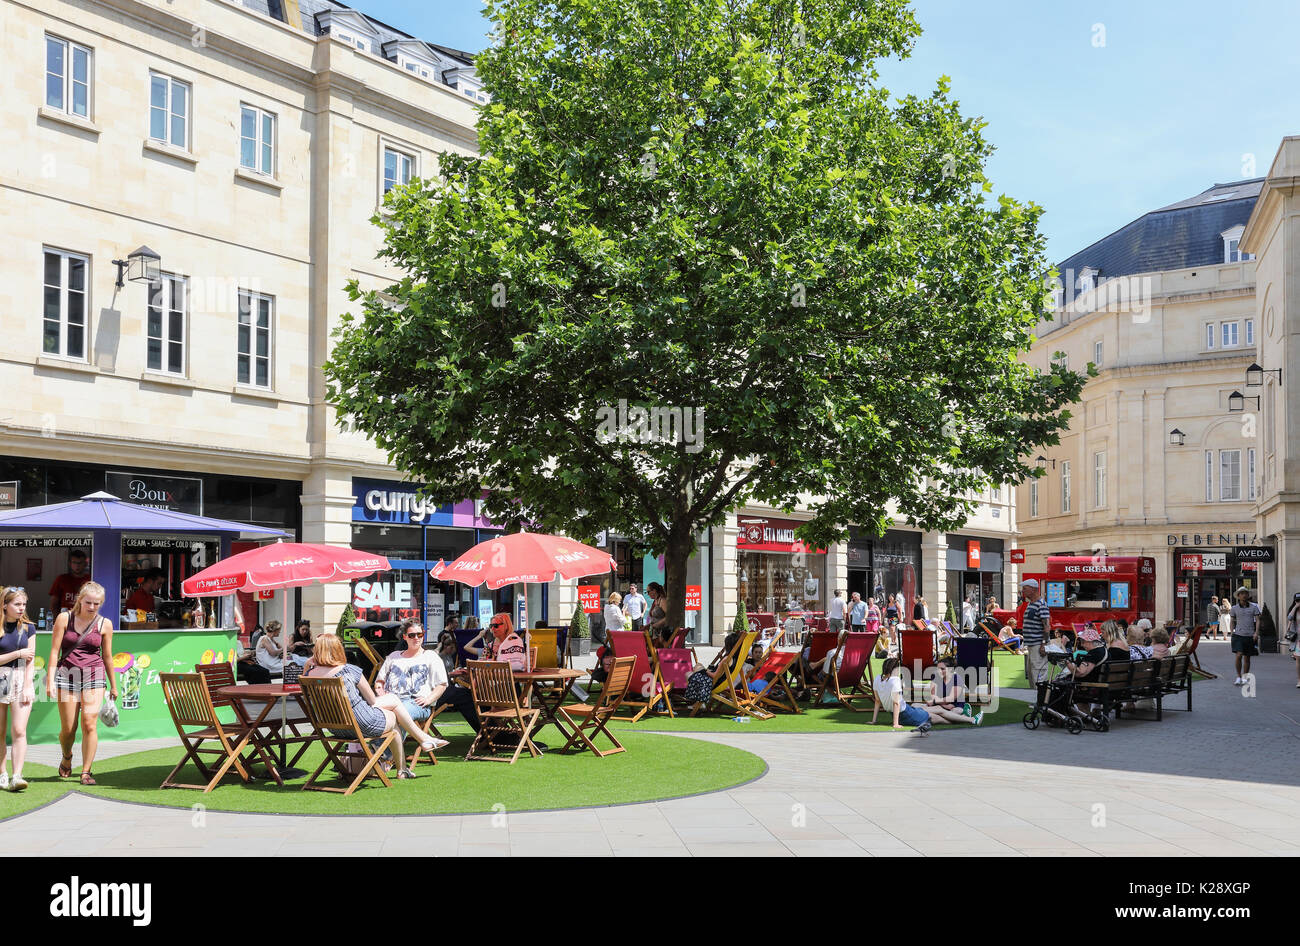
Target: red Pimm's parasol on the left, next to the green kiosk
283, 566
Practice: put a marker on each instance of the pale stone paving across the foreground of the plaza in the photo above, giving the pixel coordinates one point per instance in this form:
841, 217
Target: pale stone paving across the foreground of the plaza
1224, 780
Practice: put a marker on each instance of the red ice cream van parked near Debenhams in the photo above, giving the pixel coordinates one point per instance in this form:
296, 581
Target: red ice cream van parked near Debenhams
1082, 589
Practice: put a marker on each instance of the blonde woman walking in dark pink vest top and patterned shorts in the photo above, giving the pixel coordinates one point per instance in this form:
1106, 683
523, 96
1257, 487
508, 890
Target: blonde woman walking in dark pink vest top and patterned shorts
83, 665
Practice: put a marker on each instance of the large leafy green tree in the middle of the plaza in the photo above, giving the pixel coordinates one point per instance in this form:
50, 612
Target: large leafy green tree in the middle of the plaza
710, 206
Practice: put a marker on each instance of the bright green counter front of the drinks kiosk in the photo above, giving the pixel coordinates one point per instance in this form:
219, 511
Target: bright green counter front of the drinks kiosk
140, 658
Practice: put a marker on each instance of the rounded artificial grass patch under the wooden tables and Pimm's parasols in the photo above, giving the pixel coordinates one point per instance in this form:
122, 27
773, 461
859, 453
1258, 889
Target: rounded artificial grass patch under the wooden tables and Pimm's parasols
655, 767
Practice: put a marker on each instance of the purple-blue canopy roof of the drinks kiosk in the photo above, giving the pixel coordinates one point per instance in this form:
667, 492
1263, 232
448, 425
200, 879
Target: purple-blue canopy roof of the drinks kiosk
102, 511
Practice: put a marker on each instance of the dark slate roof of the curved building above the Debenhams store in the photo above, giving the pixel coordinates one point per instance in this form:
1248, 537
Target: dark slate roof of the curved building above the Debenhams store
1176, 237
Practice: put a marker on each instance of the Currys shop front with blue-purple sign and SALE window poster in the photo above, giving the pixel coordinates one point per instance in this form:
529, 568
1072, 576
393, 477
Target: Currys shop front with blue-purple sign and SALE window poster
392, 519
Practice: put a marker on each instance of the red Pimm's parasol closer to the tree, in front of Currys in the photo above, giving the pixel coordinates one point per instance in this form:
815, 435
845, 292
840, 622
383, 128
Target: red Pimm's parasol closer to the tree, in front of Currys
528, 559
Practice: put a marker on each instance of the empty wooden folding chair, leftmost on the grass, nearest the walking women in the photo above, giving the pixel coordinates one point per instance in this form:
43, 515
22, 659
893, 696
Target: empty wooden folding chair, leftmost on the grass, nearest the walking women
190, 704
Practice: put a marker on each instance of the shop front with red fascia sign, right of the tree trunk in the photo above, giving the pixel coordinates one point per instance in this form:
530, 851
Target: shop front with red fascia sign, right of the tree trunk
775, 572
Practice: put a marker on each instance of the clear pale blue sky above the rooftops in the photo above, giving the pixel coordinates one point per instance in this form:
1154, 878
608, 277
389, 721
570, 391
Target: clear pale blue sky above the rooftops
1180, 96
